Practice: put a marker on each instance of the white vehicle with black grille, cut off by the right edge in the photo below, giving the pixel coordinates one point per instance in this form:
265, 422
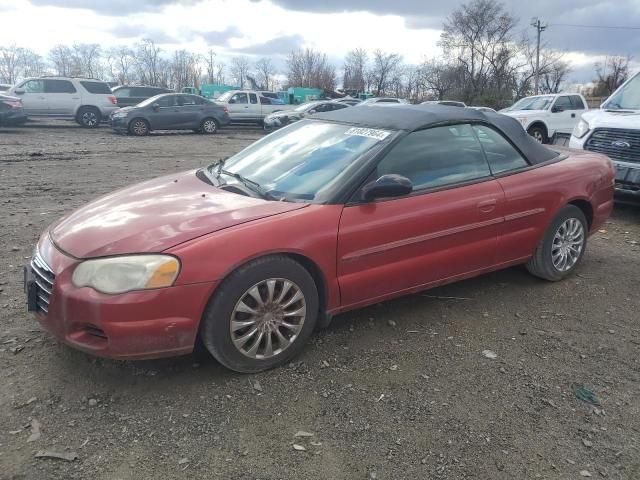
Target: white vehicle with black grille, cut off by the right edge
614, 130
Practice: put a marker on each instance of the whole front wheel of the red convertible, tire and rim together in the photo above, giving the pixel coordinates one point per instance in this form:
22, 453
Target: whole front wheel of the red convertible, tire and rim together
264, 278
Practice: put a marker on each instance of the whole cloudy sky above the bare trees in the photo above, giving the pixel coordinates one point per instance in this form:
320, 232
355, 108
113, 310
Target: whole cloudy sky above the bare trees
275, 27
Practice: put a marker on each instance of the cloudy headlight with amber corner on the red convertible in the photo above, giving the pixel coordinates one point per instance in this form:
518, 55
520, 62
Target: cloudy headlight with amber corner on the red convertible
123, 274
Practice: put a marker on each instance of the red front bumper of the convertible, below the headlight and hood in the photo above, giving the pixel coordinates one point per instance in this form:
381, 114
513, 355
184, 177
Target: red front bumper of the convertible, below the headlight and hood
134, 325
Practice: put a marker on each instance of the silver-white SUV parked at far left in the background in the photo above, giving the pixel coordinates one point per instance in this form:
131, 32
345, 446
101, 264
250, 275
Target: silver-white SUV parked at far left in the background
86, 100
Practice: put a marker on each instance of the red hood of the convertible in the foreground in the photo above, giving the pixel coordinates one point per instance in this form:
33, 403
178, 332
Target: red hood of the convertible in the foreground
155, 215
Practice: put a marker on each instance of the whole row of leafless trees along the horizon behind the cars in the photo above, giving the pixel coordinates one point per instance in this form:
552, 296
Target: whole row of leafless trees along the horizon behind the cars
483, 60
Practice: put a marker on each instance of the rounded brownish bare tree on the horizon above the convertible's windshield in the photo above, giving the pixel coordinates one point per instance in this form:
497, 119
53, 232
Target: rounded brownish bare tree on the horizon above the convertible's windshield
310, 68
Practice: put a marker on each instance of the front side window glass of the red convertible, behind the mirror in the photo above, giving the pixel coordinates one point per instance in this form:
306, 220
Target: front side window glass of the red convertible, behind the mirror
437, 157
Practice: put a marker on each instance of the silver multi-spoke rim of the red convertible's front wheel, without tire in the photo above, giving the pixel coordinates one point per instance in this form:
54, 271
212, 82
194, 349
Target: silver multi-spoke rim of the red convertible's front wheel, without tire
268, 318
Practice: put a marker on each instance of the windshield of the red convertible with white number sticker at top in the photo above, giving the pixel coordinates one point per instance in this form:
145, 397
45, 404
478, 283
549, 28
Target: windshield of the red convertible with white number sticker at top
303, 161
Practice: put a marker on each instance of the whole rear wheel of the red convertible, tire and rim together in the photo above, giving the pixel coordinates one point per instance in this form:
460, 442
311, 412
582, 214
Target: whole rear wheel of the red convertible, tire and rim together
559, 241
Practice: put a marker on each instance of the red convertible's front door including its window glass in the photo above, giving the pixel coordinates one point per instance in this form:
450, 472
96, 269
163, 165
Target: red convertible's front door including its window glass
444, 230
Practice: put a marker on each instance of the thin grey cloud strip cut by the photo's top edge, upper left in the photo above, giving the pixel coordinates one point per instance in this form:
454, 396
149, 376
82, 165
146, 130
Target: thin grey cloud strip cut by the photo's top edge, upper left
114, 7
